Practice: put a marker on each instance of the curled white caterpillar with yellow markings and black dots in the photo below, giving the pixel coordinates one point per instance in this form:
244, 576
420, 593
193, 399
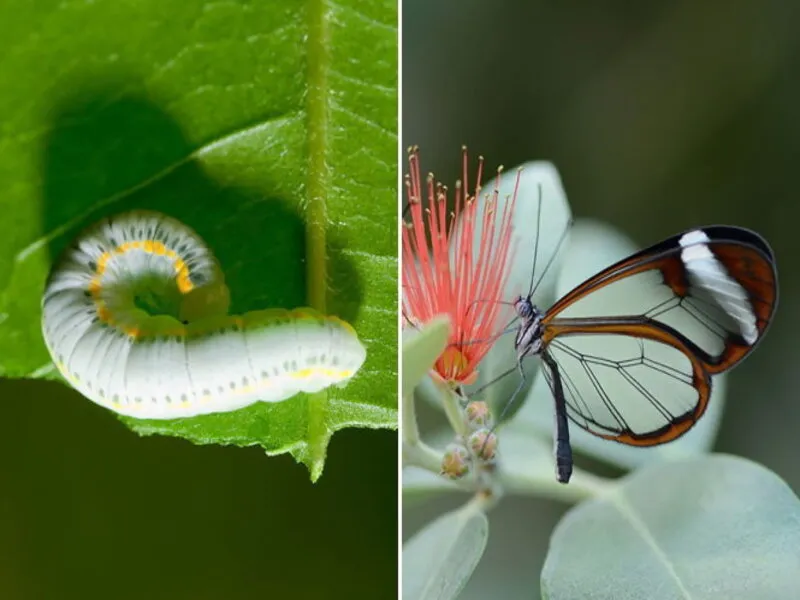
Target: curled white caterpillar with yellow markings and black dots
135, 317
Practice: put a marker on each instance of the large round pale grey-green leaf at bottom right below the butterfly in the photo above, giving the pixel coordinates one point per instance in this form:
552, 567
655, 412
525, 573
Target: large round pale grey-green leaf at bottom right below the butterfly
714, 527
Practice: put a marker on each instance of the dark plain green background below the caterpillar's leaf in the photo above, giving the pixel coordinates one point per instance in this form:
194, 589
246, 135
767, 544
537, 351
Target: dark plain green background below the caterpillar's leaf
90, 510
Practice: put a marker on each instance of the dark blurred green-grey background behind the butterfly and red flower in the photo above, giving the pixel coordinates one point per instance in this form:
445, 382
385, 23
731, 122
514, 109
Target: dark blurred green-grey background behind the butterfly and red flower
660, 116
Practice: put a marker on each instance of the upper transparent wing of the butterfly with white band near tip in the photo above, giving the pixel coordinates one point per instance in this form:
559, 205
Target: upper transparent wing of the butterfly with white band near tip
718, 296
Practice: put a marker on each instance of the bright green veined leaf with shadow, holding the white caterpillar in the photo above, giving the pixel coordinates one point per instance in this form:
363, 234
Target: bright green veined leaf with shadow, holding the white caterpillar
269, 127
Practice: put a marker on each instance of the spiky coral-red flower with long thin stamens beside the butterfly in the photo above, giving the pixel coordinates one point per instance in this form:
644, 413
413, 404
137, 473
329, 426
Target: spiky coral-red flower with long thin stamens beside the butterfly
464, 271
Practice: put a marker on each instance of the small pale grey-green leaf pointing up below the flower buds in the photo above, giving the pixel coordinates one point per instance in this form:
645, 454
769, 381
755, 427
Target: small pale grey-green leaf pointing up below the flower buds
439, 560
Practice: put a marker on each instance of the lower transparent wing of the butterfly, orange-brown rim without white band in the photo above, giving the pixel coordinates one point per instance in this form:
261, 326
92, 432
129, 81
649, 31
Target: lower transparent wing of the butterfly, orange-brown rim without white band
636, 386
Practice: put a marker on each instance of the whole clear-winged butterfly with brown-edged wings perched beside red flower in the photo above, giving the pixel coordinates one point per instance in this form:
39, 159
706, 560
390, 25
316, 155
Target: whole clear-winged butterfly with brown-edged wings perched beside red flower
681, 311
